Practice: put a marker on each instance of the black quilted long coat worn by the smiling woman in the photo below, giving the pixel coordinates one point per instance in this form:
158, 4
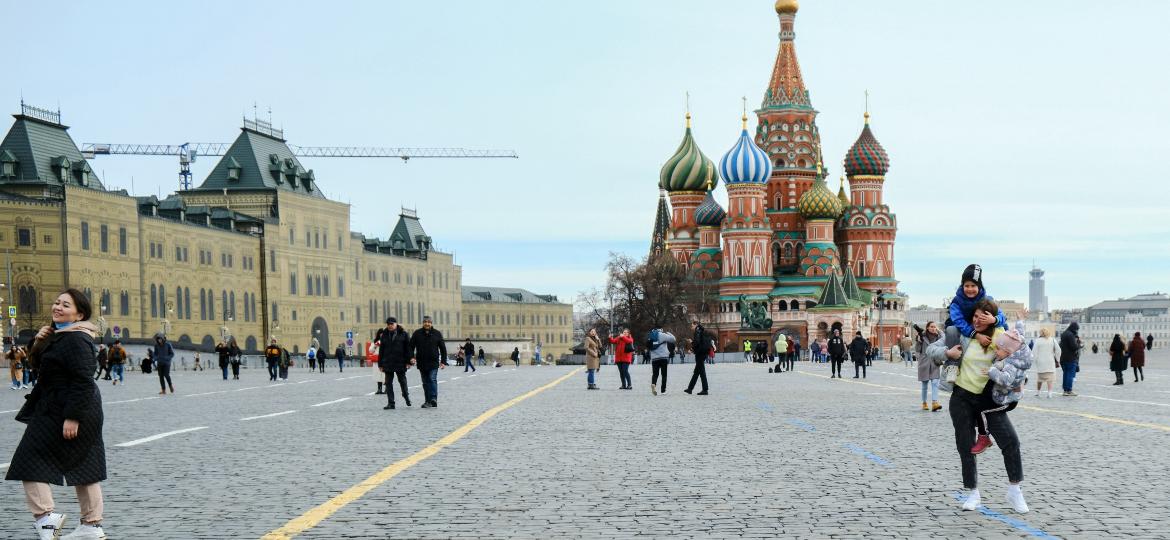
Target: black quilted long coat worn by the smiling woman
65, 390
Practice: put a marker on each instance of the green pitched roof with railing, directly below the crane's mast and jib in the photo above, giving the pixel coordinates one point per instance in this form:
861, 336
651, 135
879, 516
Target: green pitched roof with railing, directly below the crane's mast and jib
264, 163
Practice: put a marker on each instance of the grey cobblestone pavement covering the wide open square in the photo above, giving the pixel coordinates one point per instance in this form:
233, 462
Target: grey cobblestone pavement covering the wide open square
793, 455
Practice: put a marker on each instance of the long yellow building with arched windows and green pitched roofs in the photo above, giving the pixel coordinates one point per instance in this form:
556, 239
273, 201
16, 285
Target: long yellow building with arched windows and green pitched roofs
254, 252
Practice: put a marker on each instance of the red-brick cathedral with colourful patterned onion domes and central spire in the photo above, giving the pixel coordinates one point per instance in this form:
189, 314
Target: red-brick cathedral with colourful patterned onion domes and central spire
788, 255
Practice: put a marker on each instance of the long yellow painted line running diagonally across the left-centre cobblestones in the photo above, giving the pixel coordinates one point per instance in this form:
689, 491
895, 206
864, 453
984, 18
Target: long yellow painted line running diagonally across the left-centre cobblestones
314, 517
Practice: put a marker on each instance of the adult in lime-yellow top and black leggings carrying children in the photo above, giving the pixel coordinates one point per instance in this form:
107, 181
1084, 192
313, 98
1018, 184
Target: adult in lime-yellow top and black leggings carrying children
971, 397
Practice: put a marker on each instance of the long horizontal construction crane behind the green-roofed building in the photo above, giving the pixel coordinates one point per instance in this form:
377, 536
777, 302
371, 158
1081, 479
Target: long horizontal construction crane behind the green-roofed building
189, 153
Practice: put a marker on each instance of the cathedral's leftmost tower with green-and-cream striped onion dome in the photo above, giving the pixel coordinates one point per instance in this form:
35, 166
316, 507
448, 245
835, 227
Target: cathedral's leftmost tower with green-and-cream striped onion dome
686, 177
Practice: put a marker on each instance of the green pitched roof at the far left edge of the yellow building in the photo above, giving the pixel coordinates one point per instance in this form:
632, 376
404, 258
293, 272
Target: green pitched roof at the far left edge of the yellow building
40, 148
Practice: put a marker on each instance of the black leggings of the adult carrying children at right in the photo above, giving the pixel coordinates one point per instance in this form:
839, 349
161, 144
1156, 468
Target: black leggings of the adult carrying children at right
966, 410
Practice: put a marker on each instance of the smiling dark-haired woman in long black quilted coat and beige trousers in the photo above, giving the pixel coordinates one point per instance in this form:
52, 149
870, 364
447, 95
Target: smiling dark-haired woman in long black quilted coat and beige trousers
63, 442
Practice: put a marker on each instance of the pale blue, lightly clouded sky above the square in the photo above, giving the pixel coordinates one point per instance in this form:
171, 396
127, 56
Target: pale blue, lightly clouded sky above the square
1018, 133
